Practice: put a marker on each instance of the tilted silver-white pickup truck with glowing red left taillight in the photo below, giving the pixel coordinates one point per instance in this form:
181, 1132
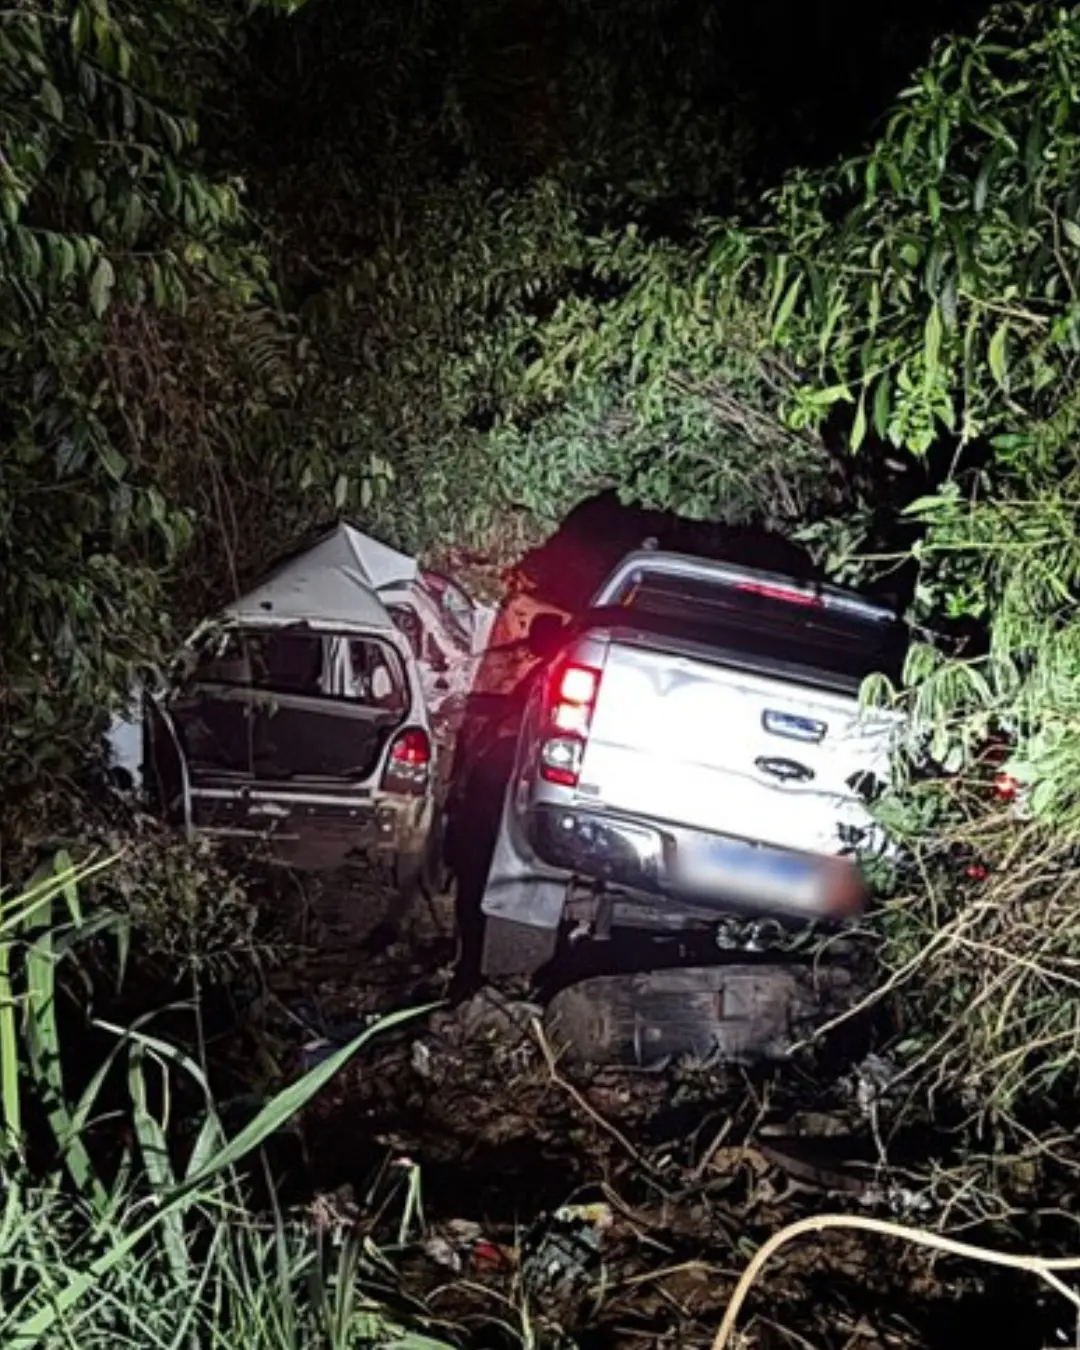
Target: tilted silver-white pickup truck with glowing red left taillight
693, 749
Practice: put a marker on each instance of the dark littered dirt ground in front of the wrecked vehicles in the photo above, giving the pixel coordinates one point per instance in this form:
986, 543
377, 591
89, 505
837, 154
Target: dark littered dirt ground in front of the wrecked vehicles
460, 1140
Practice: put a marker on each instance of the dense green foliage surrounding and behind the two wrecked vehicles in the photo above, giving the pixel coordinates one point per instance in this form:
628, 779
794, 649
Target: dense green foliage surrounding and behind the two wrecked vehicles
456, 268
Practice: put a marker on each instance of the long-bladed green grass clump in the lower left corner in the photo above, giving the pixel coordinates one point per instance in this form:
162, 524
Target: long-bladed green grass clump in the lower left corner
161, 1248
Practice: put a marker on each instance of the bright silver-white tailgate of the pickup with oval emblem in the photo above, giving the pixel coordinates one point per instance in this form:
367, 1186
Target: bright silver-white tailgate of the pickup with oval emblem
685, 740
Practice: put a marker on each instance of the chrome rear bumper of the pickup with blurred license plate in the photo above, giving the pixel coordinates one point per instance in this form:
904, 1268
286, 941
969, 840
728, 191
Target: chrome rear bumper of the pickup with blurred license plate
695, 867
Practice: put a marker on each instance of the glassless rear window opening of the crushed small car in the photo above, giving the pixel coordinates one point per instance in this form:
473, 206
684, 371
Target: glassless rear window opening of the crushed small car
326, 666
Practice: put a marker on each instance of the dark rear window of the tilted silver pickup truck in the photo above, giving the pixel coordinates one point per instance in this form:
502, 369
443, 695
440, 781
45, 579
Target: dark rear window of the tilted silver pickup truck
839, 645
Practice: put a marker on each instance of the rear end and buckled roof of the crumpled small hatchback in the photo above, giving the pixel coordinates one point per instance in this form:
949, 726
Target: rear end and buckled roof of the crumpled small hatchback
303, 711
